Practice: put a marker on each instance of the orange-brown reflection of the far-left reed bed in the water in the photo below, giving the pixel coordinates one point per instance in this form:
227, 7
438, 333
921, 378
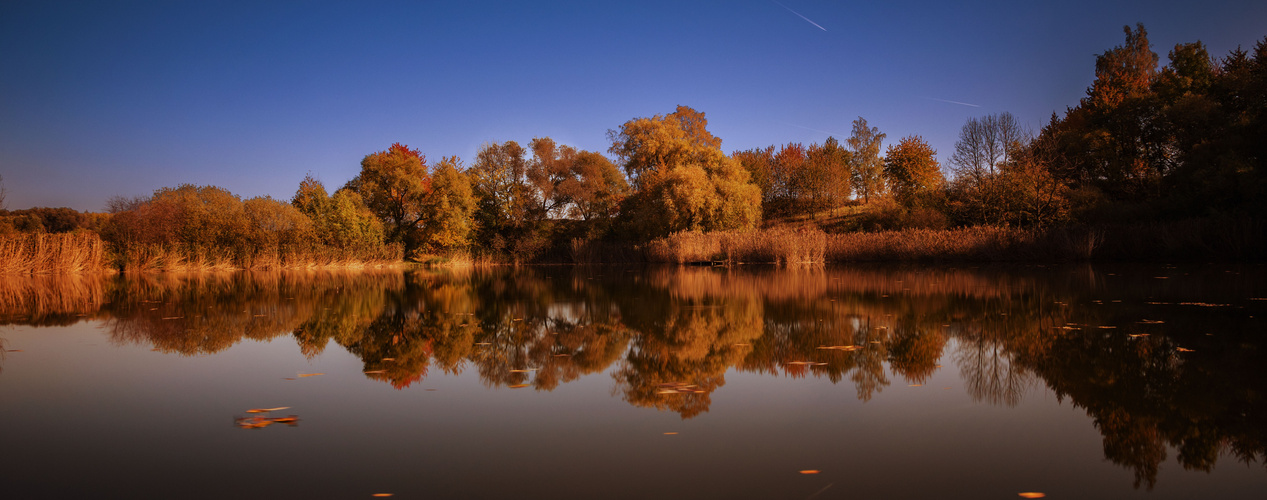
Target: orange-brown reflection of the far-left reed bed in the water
51, 299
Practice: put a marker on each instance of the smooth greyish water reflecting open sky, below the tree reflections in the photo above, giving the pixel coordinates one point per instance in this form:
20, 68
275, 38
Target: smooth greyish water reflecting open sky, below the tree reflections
94, 417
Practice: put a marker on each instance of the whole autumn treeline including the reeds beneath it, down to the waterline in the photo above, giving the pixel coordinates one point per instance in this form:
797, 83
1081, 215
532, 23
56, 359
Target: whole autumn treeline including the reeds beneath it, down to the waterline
1171, 158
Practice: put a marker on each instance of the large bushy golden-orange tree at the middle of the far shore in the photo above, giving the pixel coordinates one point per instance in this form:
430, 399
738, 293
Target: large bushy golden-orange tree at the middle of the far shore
682, 179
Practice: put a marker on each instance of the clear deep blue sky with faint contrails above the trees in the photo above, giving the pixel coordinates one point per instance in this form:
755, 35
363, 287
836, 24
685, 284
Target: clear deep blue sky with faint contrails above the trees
122, 98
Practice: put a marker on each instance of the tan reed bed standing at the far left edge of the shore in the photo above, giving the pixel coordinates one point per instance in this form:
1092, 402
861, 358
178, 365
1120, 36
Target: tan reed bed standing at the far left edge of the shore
53, 254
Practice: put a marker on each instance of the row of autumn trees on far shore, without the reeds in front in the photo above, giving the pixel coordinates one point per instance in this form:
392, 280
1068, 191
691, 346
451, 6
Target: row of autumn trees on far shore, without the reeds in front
1179, 141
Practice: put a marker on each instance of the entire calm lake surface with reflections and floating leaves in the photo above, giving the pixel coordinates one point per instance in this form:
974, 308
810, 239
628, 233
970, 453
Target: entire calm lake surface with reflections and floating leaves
609, 383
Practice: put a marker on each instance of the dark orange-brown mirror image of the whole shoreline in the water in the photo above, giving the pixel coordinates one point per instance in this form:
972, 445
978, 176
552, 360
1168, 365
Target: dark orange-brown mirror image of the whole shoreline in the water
1159, 358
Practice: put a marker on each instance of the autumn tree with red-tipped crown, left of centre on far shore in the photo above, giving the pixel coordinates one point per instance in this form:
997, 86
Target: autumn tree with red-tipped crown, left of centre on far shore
396, 185
